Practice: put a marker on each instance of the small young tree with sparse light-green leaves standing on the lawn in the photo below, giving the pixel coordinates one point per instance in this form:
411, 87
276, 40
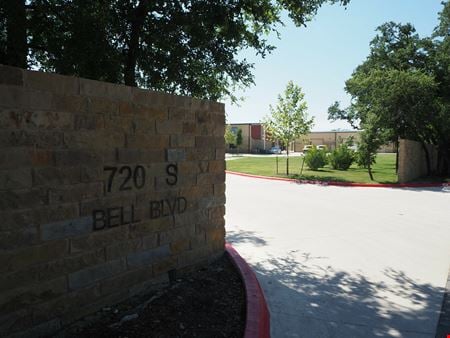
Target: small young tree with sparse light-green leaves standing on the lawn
289, 119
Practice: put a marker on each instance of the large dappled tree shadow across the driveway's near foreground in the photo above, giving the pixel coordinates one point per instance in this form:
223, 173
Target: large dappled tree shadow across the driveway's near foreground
309, 300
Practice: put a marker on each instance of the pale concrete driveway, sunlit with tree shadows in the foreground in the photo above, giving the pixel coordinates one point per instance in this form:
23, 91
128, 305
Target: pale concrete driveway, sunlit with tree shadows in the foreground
340, 261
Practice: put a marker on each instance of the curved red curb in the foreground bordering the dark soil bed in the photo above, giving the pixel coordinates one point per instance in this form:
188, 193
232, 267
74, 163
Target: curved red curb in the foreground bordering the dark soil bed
258, 318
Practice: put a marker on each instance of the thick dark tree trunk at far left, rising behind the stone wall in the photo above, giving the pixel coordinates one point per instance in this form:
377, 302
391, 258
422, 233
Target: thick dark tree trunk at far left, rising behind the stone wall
16, 33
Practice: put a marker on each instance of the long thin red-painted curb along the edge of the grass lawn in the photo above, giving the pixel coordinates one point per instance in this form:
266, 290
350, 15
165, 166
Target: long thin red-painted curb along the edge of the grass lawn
343, 184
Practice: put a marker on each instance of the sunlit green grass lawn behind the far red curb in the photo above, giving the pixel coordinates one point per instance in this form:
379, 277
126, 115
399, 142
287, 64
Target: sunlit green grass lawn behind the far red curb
383, 170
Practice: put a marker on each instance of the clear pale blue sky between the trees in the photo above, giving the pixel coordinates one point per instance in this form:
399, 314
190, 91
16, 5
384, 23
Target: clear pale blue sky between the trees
321, 56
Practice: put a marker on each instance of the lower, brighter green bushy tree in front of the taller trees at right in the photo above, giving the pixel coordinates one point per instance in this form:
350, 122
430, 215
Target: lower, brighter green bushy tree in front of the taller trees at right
404, 101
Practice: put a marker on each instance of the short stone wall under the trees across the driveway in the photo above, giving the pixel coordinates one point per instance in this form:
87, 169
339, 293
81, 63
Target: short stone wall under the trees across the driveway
412, 161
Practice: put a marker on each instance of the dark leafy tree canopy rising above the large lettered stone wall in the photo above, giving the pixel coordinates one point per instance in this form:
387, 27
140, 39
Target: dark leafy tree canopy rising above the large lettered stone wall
187, 47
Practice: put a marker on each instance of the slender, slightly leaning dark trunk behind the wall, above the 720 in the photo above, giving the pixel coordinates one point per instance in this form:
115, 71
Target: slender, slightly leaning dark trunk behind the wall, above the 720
137, 22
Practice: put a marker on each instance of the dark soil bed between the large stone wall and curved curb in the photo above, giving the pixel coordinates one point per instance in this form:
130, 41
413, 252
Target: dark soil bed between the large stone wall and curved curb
209, 302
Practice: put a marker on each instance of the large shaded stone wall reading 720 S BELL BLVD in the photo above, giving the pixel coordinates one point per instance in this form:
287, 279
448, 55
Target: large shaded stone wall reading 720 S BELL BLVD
105, 192
